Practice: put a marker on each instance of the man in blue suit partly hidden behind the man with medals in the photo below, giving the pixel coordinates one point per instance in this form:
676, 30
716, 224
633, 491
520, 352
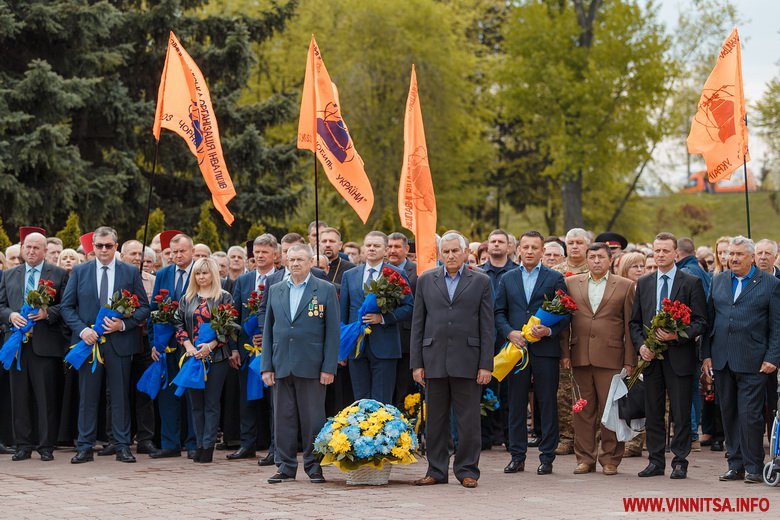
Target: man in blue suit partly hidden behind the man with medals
263, 251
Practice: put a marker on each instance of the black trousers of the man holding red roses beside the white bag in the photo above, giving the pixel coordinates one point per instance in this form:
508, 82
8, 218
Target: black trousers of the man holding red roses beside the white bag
660, 379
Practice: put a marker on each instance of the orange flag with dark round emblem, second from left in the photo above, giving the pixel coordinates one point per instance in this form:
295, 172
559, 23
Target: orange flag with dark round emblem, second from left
321, 117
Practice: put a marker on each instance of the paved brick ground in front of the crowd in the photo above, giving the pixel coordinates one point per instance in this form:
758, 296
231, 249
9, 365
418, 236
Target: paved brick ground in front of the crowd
178, 488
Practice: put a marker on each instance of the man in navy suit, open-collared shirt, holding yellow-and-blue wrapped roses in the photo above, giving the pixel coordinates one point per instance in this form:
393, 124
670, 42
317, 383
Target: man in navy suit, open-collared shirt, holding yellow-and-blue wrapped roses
520, 294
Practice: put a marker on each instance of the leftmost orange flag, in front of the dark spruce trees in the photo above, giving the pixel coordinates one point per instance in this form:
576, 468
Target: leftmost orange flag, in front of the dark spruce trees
184, 106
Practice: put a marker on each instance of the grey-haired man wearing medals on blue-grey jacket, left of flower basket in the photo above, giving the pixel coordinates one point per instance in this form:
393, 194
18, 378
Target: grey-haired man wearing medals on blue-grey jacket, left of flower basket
300, 357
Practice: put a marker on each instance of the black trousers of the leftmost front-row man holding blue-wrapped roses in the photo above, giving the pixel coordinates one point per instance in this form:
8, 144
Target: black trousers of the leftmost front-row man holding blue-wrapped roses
34, 399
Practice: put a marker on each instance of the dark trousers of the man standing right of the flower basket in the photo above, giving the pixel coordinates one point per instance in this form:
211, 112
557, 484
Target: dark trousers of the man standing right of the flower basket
460, 397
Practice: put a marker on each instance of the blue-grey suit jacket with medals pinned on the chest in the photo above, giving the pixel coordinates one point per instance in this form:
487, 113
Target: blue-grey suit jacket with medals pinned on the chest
301, 345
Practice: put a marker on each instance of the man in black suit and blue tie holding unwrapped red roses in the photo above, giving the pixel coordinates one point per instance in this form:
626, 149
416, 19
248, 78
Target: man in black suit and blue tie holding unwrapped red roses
674, 373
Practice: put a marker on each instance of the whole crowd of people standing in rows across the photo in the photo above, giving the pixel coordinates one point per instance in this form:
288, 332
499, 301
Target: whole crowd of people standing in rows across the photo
715, 385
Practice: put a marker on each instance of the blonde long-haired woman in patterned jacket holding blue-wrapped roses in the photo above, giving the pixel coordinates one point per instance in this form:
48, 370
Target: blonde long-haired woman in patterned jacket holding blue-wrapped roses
204, 294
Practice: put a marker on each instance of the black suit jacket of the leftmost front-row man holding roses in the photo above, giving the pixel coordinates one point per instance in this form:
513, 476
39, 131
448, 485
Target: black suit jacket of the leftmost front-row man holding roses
48, 338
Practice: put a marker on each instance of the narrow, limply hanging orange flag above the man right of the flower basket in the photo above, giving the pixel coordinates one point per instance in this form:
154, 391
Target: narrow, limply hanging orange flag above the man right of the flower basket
416, 201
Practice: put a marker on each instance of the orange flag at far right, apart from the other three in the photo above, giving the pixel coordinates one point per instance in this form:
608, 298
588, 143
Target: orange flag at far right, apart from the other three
719, 128
